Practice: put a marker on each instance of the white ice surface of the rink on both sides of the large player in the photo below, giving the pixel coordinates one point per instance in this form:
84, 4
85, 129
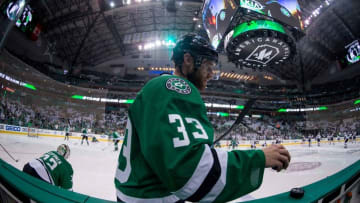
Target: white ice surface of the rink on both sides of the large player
94, 165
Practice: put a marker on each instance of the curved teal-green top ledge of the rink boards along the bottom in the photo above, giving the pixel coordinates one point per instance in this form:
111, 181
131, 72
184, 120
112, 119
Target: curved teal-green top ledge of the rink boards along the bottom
17, 186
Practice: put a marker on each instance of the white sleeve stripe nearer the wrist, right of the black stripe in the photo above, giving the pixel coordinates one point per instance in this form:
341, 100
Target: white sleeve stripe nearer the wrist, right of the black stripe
220, 184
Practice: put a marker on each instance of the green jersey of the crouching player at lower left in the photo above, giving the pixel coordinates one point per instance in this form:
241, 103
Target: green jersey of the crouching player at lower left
58, 168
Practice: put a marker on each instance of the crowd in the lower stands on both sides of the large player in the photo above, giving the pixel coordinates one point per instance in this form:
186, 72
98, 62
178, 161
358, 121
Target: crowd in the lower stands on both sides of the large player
56, 117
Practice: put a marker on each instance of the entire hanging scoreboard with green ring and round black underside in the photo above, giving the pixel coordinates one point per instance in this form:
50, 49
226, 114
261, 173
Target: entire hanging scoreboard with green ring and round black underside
254, 33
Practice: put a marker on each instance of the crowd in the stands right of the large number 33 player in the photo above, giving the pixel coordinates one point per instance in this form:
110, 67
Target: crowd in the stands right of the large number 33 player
270, 128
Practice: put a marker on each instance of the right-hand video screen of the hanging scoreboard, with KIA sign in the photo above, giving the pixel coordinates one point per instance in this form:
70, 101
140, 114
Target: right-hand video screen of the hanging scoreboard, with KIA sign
286, 11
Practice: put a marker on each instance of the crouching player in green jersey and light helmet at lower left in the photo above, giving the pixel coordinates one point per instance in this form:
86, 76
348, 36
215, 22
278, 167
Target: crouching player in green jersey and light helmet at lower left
53, 168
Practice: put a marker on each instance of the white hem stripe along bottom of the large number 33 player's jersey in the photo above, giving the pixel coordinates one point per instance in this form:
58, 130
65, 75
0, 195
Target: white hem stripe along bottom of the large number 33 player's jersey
125, 198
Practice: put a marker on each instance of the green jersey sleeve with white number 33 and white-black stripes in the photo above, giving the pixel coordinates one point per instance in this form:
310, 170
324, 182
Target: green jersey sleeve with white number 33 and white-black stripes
176, 136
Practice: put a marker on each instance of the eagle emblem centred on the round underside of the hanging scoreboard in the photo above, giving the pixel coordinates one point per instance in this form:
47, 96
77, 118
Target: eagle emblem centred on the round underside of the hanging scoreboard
263, 54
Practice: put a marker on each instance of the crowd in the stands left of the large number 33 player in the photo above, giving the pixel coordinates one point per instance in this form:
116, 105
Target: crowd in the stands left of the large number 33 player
56, 117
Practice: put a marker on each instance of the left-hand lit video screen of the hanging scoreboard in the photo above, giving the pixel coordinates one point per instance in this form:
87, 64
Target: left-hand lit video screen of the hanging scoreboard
217, 15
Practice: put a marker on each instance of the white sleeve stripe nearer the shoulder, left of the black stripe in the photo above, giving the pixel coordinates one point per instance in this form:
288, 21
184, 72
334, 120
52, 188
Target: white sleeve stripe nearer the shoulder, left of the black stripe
202, 169
